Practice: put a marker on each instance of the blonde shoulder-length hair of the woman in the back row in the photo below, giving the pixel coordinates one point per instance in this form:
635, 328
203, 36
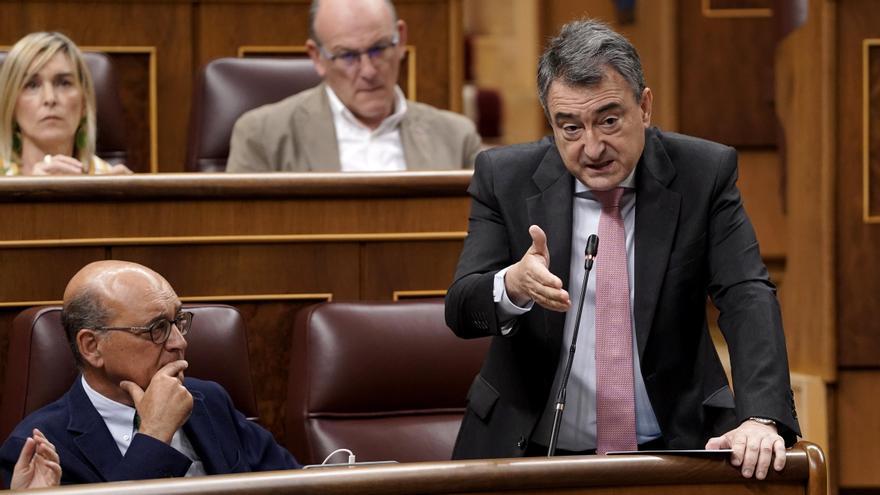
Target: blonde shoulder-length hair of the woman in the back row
37, 49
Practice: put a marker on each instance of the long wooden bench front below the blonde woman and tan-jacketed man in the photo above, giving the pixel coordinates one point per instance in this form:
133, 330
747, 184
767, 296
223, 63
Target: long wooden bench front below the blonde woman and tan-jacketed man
267, 244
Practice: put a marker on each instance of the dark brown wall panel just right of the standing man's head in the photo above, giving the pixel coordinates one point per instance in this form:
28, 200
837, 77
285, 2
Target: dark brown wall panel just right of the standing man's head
726, 77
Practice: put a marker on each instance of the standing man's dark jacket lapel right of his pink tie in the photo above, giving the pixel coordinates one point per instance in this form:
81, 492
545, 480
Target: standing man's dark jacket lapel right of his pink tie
657, 212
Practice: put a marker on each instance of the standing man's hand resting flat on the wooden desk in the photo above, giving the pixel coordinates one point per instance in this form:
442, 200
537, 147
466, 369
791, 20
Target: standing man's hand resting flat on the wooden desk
754, 446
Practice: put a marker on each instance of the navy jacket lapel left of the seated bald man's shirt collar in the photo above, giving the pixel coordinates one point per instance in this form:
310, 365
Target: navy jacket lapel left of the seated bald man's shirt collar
89, 432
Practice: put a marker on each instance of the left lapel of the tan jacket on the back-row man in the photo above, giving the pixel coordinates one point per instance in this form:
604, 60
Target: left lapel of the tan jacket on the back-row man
317, 142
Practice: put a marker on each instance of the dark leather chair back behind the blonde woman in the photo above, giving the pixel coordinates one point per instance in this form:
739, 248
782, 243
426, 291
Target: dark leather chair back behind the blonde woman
112, 144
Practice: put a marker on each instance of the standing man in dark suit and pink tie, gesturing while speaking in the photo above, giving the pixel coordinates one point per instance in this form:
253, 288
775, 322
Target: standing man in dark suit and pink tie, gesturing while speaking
677, 218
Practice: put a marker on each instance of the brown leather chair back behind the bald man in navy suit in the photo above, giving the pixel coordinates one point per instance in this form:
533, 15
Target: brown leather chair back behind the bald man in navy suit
40, 365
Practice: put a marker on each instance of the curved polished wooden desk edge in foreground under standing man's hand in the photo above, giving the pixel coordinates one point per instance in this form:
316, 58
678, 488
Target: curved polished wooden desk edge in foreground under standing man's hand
804, 473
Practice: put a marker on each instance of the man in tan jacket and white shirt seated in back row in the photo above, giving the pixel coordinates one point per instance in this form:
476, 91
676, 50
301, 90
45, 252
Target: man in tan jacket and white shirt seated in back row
358, 119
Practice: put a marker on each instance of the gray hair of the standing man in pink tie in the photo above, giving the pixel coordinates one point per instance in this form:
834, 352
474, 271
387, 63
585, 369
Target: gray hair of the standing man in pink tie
579, 54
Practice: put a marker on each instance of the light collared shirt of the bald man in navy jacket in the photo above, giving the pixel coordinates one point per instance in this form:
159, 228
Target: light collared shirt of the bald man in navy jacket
119, 419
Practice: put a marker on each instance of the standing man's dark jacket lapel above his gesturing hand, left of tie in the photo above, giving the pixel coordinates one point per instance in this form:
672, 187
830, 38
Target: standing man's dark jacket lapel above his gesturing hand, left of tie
551, 210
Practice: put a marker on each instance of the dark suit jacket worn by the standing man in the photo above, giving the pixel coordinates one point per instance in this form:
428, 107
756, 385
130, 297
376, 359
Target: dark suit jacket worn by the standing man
692, 239
